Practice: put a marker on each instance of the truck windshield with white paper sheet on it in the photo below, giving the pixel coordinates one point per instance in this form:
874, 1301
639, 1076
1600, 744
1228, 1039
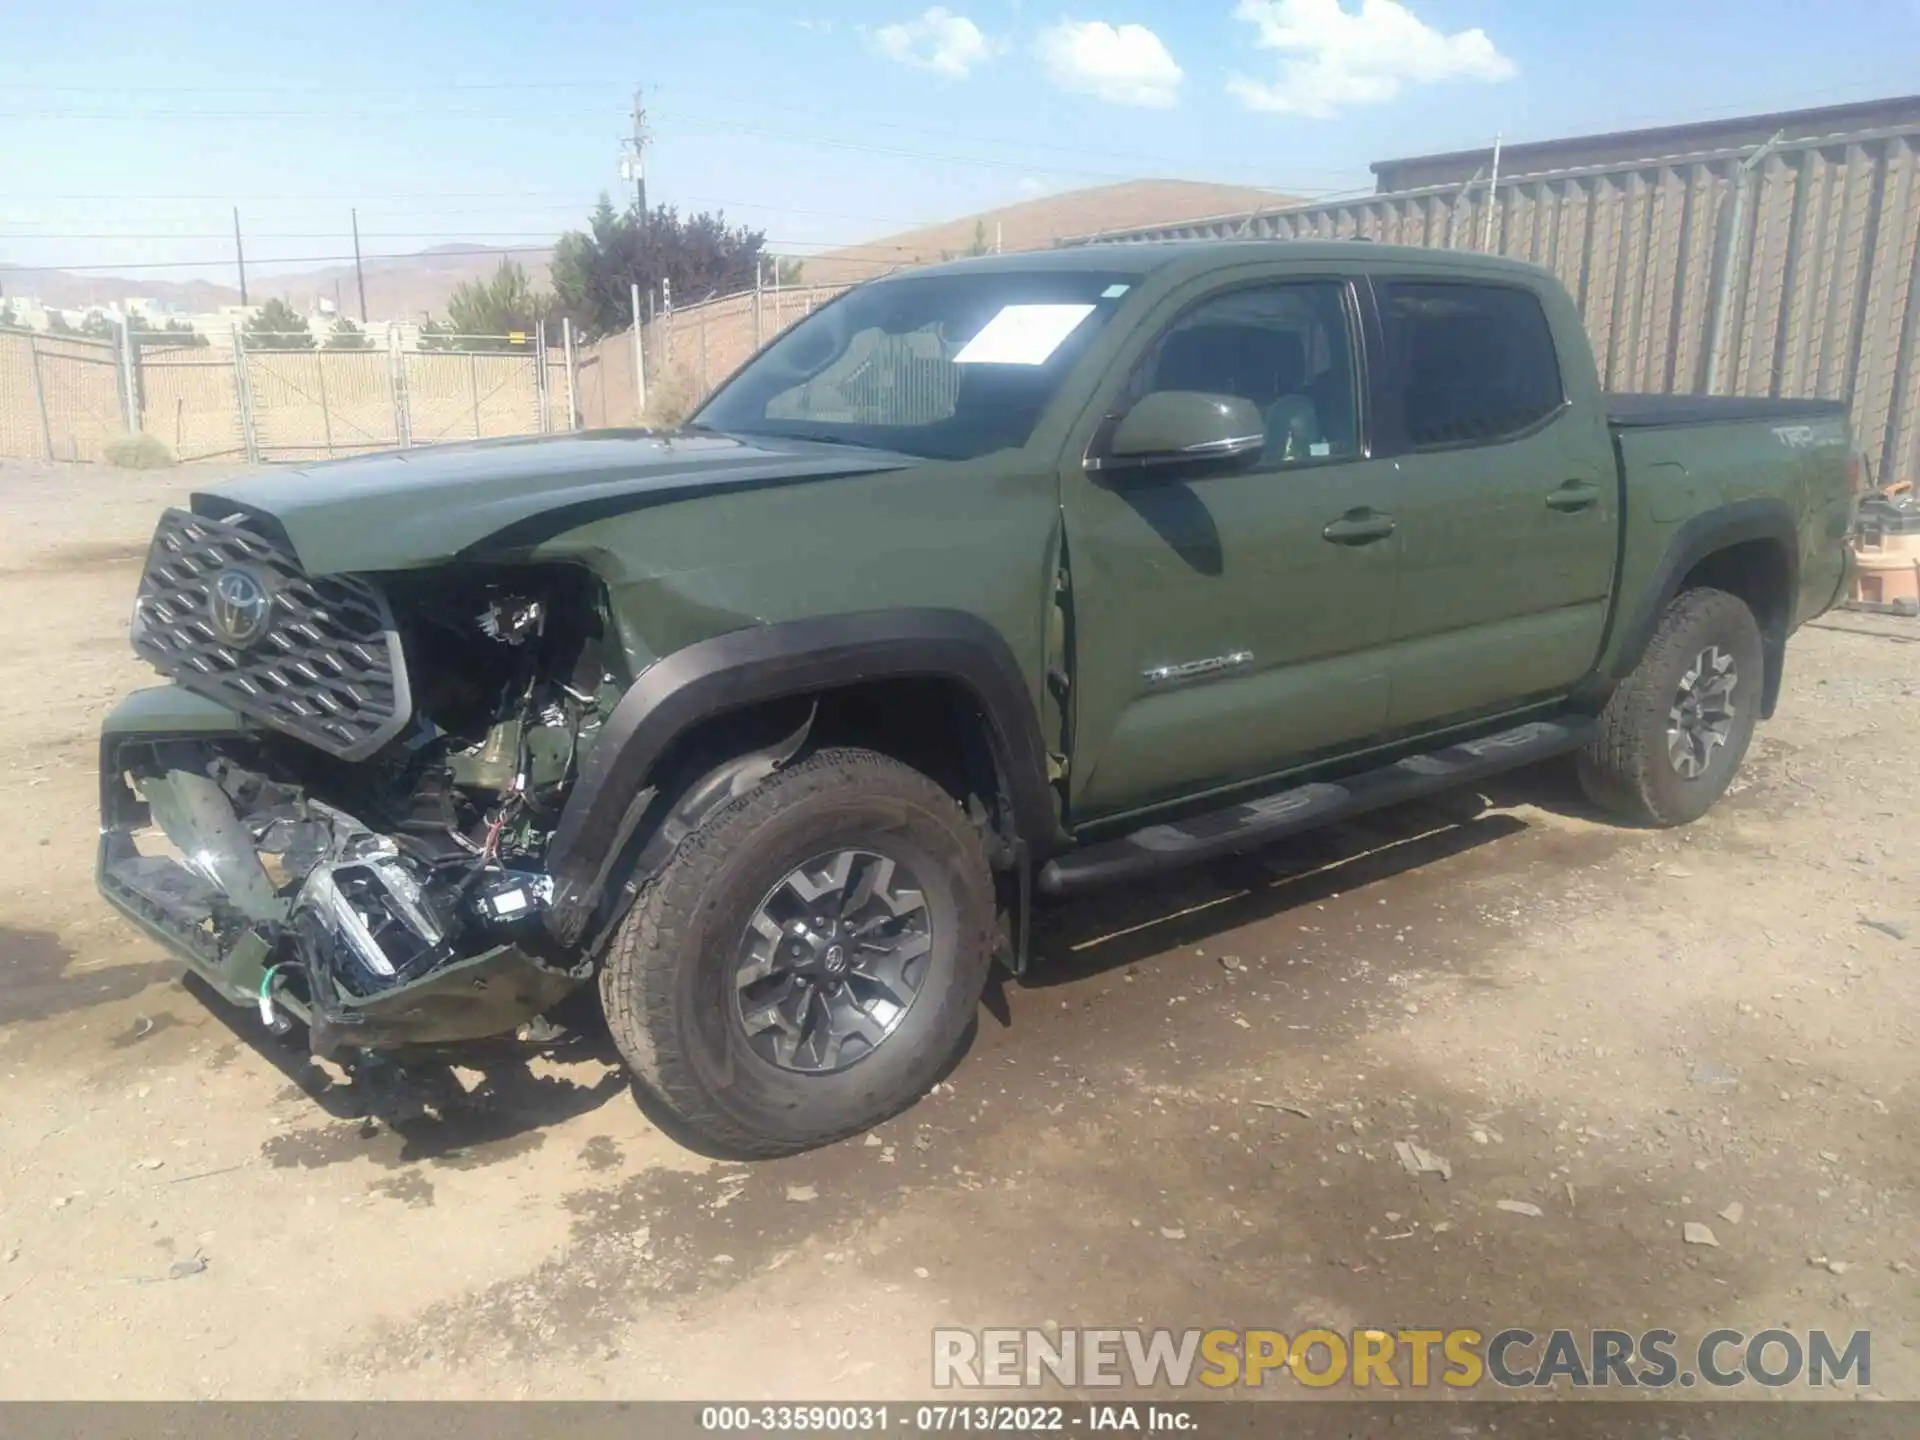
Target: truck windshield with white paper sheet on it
940, 366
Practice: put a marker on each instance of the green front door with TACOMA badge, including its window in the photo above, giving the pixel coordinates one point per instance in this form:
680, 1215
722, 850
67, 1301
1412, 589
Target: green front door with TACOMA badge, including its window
1230, 625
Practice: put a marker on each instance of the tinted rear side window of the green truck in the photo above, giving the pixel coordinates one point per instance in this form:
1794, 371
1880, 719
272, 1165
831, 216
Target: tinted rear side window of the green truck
1472, 364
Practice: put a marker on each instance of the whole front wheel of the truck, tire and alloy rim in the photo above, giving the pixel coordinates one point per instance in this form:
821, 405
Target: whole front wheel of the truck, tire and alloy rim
809, 959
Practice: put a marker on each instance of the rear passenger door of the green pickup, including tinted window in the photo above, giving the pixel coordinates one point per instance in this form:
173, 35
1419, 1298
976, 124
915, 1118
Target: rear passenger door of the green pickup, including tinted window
1510, 504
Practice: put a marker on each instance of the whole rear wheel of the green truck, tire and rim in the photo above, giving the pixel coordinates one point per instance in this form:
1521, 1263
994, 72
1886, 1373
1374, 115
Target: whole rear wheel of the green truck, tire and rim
1677, 729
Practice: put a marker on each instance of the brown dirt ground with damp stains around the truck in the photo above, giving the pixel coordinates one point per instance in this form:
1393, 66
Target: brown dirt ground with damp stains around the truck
1186, 1116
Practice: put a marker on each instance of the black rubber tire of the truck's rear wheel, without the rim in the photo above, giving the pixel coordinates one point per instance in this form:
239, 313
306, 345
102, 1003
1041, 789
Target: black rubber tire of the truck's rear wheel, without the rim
1627, 769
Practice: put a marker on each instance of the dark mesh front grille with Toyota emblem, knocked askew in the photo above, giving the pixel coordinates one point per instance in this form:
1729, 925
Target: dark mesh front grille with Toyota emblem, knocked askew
318, 658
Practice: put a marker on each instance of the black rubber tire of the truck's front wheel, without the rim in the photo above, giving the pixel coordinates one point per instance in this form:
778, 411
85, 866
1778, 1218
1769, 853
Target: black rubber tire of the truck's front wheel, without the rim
667, 976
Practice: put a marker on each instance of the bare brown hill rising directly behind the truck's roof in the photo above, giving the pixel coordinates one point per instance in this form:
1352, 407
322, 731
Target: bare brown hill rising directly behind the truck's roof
1040, 224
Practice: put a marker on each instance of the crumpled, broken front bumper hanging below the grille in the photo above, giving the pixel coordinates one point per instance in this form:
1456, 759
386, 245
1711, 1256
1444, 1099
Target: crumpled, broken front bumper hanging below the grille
297, 907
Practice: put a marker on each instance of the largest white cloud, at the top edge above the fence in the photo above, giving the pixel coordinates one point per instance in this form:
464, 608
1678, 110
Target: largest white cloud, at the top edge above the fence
1333, 59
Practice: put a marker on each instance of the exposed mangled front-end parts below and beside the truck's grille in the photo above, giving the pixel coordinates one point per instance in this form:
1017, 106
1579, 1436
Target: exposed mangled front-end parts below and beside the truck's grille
320, 886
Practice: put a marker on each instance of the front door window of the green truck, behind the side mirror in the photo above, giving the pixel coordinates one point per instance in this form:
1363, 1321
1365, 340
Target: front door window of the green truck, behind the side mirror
1287, 348
